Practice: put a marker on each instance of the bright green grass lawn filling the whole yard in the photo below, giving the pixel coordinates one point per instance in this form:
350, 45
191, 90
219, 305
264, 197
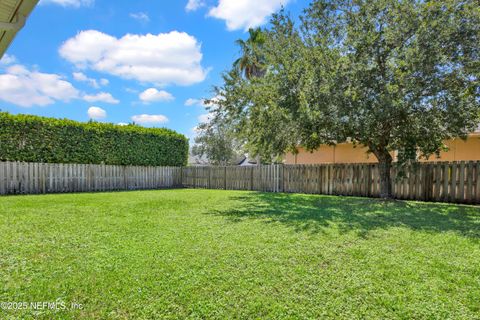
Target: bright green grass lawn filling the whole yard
225, 254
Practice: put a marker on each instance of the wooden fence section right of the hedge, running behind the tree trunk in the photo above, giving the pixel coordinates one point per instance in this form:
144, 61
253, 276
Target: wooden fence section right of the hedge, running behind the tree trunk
457, 182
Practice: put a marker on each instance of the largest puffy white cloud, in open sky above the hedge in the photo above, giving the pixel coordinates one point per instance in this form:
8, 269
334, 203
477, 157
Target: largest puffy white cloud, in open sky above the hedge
166, 58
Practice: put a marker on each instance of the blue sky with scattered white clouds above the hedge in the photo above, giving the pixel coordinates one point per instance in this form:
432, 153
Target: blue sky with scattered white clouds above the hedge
116, 61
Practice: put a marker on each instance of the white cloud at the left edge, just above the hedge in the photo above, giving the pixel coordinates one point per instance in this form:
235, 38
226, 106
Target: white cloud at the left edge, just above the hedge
27, 88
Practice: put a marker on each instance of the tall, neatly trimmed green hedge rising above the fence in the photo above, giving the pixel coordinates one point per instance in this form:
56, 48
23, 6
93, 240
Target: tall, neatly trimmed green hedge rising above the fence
38, 139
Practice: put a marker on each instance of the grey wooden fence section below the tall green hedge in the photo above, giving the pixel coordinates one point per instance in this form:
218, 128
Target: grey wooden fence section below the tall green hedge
33, 178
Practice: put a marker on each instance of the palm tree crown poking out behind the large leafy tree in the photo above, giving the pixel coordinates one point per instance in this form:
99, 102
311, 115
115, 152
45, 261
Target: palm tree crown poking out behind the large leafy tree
252, 62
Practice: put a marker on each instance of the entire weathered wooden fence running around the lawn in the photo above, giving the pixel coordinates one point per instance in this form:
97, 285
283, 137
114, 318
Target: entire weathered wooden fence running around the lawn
442, 181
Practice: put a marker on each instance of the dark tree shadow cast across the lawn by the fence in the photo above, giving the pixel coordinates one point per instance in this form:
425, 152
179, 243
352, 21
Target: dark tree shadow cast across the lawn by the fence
315, 213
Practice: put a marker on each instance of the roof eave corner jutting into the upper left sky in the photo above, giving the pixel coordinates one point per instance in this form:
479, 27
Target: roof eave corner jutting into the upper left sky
13, 14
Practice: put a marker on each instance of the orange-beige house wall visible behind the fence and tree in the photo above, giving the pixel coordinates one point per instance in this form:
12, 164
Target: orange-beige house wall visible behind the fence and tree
459, 150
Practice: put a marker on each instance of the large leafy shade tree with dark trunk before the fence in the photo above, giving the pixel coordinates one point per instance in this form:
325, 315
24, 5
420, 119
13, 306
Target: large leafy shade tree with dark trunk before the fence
387, 74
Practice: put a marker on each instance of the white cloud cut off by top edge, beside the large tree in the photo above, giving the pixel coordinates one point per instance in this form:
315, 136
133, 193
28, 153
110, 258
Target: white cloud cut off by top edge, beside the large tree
246, 13
